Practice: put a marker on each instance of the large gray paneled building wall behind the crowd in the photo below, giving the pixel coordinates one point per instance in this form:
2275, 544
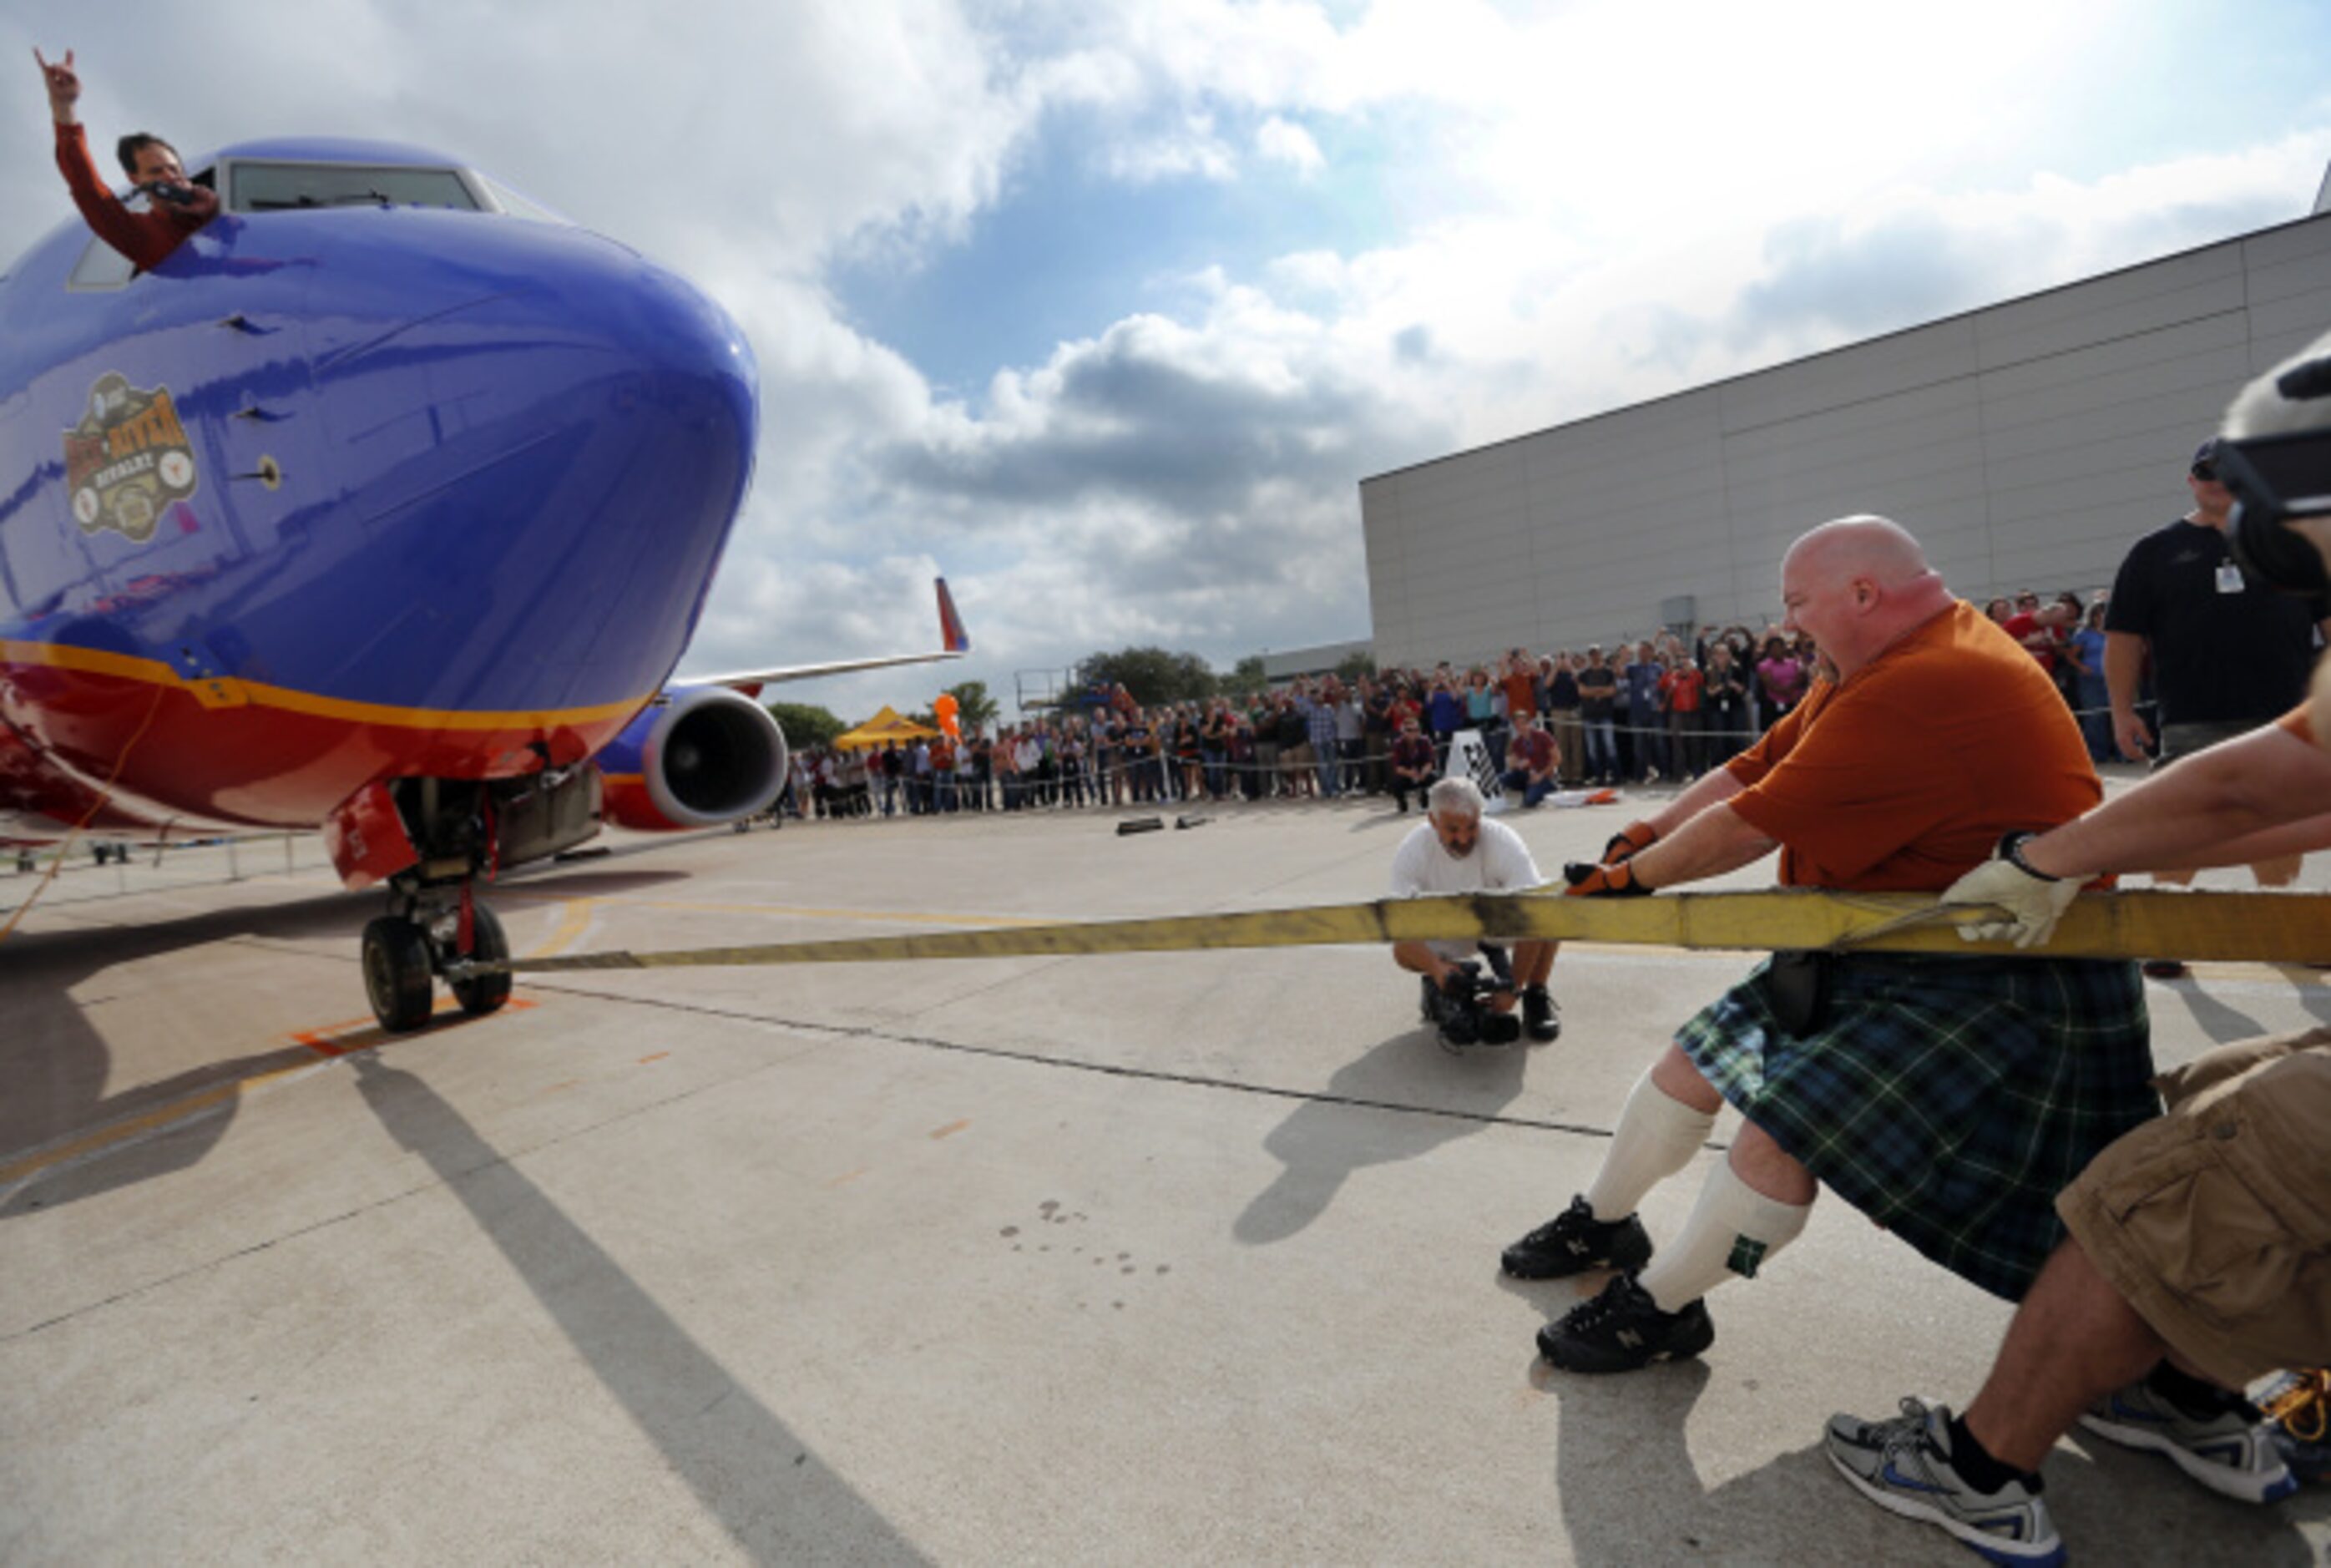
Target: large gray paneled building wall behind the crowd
2024, 444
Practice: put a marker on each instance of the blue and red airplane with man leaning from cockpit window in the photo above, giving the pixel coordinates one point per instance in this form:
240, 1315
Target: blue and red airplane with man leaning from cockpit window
383, 507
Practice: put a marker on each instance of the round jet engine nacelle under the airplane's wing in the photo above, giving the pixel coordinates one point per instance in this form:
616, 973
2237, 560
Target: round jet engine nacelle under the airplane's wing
693, 758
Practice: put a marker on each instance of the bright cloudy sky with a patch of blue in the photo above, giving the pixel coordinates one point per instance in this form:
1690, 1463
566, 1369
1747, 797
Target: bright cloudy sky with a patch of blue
1106, 309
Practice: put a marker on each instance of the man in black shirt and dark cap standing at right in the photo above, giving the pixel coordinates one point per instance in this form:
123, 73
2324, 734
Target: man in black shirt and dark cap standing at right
2227, 654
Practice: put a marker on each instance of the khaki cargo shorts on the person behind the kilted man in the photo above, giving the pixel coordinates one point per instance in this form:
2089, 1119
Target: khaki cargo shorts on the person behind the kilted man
2216, 1220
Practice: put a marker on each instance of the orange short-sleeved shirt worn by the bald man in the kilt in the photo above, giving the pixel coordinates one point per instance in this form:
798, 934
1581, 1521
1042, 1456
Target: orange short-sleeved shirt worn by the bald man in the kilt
1910, 772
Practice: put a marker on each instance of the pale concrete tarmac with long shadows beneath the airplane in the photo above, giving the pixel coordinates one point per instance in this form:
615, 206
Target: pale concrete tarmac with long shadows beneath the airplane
987, 1262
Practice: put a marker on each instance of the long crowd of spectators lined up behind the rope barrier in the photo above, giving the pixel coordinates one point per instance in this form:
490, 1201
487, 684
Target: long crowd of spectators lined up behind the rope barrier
1642, 712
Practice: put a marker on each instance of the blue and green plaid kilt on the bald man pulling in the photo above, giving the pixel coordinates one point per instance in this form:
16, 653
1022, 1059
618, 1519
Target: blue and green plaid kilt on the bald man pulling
1948, 1099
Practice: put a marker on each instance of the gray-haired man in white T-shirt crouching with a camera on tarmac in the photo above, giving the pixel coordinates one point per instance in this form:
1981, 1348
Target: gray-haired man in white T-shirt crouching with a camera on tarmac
1458, 852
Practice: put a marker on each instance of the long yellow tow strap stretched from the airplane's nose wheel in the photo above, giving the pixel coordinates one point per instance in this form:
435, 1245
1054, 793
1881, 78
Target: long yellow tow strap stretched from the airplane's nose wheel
2192, 926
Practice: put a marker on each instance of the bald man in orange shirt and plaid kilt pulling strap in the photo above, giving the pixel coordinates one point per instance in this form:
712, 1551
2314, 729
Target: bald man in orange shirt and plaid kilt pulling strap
1950, 1099
